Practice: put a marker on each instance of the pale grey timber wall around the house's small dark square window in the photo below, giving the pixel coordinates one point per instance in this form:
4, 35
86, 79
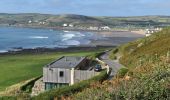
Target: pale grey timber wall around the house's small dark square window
53, 75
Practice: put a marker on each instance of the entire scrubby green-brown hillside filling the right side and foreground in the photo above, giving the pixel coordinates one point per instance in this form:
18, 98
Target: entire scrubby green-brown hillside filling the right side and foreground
148, 77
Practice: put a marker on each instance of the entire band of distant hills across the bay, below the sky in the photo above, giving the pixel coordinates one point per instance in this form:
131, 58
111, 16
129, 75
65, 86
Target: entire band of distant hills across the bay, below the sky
35, 19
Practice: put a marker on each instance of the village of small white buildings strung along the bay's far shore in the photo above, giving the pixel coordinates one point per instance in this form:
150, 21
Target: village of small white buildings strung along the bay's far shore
70, 26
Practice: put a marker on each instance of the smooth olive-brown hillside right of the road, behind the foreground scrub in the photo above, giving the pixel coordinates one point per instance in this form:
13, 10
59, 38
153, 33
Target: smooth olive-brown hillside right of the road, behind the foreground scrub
158, 44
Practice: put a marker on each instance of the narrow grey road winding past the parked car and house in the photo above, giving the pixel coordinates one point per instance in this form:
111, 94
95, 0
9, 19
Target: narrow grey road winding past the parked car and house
114, 64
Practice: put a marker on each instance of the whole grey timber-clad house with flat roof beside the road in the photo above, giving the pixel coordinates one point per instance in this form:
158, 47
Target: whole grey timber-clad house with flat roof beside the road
66, 71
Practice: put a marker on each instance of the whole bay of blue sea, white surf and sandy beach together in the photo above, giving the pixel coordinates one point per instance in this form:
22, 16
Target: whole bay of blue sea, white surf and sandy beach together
40, 40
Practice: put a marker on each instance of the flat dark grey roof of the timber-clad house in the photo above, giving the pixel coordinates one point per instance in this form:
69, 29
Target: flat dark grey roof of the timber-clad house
66, 62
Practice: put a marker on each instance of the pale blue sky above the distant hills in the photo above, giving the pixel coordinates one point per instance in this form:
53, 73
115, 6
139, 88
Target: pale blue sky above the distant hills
88, 7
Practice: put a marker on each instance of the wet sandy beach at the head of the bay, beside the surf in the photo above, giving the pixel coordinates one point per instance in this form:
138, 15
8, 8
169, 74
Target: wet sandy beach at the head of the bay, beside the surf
116, 38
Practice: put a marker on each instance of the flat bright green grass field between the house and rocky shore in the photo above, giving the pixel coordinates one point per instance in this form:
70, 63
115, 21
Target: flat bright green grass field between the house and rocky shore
21, 67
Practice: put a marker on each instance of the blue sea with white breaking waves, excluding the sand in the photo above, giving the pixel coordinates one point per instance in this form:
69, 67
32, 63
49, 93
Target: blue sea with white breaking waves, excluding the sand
15, 38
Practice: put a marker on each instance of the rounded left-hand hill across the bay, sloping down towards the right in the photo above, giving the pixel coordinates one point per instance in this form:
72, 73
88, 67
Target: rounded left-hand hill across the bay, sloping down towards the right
49, 20
